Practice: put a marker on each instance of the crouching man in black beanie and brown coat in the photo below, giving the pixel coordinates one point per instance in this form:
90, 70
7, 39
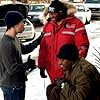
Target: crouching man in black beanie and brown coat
80, 81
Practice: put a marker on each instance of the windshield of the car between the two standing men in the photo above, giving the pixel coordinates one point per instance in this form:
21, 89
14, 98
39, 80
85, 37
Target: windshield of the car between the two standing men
36, 8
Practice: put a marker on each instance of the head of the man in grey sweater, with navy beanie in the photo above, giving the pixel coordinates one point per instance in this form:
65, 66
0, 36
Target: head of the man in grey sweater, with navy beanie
14, 19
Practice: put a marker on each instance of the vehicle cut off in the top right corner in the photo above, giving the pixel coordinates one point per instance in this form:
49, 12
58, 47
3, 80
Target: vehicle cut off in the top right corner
94, 6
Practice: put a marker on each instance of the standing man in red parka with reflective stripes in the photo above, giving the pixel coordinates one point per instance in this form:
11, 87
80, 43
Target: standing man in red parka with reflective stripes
61, 29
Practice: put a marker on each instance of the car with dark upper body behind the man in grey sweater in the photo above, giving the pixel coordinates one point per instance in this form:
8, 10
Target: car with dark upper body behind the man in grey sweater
29, 32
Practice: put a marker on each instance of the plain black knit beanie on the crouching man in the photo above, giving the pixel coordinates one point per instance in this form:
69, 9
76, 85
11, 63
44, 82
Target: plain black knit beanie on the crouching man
69, 52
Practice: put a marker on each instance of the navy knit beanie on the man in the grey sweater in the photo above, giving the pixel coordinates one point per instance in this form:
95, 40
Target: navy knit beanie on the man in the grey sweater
12, 18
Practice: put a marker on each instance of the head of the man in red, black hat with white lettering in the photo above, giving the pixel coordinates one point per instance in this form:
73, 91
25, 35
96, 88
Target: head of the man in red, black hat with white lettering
57, 10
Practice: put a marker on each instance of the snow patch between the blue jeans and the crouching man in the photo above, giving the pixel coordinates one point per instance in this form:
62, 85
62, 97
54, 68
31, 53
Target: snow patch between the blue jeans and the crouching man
36, 86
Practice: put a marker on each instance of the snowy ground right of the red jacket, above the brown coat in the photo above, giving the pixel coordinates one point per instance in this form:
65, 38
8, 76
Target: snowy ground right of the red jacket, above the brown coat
93, 31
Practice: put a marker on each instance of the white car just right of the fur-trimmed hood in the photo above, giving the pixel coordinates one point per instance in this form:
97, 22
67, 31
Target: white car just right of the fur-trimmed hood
83, 13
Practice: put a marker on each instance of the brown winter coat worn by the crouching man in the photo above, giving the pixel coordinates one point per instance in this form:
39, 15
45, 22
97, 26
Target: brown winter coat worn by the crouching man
83, 82
